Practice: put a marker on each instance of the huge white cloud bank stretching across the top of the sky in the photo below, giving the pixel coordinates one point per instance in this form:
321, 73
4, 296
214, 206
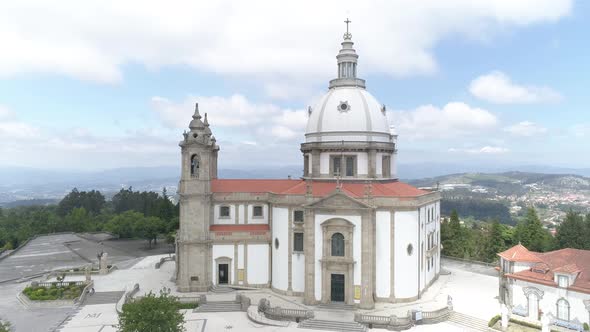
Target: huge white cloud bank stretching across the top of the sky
262, 40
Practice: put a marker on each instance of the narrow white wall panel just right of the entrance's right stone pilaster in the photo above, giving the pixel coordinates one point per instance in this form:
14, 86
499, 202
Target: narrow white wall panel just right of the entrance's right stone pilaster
383, 252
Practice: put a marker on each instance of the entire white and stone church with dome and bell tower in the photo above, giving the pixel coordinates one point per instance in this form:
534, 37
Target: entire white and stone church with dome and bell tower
346, 231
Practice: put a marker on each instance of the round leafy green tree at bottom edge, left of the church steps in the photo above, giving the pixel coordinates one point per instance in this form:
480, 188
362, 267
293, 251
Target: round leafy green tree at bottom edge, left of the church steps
152, 313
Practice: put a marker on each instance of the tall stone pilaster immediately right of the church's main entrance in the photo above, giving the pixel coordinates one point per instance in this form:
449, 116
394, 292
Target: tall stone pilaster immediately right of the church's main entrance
367, 254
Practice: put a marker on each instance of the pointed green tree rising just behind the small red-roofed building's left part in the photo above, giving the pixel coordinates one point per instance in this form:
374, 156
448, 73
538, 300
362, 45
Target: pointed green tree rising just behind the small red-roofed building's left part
531, 234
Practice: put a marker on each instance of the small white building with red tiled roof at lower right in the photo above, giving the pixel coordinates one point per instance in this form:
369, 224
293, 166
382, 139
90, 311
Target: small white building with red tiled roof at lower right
555, 284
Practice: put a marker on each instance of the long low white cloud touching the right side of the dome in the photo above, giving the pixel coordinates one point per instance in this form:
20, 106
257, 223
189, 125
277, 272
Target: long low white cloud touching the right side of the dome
454, 119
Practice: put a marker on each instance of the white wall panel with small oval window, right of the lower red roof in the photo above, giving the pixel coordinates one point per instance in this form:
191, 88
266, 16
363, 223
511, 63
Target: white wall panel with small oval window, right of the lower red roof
280, 255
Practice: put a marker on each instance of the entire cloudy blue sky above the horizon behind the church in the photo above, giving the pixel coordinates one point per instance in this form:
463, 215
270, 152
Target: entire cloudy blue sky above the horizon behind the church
106, 84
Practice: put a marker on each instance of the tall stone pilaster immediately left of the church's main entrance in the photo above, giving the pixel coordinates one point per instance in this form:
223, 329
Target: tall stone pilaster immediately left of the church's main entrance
309, 251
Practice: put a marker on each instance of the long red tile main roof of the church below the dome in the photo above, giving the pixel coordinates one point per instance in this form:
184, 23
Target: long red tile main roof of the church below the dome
319, 188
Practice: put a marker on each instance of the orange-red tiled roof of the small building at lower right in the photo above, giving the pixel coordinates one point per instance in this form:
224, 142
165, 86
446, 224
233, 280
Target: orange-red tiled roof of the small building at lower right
565, 261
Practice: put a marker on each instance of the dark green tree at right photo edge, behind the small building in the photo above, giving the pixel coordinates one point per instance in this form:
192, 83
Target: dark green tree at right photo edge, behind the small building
573, 232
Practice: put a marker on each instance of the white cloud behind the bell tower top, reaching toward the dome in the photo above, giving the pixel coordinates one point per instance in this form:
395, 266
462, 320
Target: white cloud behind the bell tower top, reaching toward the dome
236, 113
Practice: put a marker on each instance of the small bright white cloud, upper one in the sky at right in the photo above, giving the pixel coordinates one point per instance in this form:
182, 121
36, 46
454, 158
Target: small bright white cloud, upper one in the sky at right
497, 87
